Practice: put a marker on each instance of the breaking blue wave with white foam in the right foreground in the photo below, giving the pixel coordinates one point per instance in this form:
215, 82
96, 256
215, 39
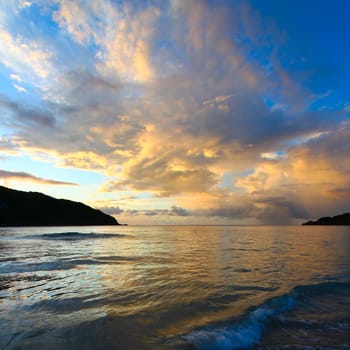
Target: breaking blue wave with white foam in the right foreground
248, 332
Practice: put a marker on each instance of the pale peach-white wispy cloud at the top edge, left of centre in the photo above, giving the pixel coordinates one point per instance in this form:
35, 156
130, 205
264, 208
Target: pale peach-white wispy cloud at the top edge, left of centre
121, 32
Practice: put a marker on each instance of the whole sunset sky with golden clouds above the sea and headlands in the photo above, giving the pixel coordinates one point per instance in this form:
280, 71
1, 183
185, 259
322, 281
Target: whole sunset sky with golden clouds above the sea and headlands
179, 111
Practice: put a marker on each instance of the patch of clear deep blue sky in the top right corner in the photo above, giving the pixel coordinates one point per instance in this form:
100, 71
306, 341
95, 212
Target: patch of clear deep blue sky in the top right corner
317, 33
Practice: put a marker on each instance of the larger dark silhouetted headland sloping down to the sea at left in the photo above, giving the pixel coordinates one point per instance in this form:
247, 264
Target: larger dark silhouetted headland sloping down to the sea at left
18, 208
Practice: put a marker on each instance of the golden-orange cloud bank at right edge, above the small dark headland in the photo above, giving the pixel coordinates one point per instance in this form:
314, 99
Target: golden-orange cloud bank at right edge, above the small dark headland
311, 179
